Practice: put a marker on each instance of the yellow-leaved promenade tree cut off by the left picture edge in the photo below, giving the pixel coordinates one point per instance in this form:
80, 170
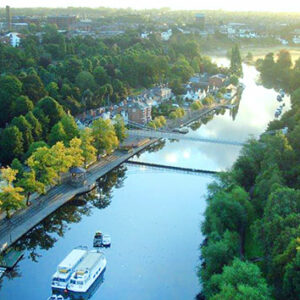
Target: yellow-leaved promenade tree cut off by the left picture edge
10, 197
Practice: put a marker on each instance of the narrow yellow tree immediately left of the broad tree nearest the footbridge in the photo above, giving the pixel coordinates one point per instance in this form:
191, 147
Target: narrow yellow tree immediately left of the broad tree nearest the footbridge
88, 150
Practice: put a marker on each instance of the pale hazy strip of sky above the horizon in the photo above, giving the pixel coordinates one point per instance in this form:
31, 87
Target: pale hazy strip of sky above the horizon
257, 5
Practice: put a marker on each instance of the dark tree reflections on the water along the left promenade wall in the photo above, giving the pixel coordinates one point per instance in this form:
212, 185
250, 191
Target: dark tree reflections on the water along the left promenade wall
46, 234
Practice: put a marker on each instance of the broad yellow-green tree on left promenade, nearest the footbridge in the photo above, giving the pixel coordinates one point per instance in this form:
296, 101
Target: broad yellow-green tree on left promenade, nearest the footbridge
105, 139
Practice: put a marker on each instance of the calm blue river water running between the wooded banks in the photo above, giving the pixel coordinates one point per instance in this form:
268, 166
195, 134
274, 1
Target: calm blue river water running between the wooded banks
153, 216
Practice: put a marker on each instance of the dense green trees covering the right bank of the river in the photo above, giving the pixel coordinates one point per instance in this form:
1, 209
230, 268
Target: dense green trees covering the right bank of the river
252, 222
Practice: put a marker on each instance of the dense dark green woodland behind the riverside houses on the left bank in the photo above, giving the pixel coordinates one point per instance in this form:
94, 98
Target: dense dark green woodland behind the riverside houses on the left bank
46, 79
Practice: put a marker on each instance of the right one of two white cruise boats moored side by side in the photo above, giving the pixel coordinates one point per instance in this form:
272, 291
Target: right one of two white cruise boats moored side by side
87, 272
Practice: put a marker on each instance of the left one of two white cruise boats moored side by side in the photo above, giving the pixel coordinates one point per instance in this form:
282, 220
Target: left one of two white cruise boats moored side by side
66, 268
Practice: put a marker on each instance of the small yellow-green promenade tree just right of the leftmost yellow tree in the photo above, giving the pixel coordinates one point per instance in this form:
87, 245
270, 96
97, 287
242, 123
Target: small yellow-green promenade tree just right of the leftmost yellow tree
30, 185
